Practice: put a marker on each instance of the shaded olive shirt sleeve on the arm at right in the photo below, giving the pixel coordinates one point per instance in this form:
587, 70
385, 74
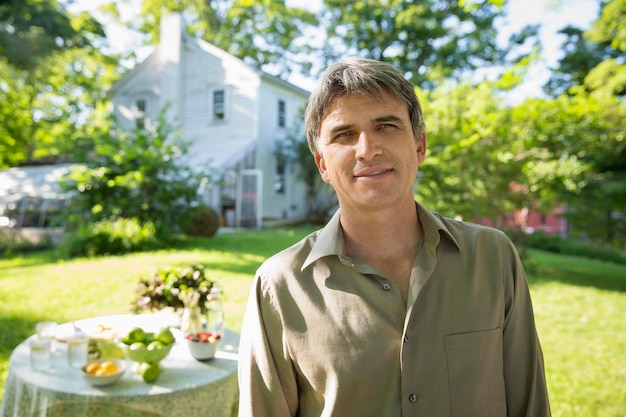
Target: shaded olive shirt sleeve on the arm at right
526, 390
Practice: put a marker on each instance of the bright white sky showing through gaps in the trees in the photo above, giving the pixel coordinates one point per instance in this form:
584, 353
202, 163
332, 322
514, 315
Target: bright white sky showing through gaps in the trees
553, 15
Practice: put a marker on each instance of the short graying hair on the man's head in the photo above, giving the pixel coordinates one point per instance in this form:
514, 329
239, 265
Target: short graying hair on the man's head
359, 76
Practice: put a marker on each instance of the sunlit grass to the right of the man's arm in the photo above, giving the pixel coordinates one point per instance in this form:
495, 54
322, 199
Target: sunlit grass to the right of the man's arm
580, 308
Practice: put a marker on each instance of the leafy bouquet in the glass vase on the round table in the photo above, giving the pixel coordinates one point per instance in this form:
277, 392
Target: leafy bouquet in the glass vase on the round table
168, 287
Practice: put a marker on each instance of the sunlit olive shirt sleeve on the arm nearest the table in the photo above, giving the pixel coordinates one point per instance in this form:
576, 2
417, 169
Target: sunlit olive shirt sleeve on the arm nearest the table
267, 382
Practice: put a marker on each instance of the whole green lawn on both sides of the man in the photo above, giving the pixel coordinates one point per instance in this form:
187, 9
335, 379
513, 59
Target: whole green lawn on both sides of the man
580, 305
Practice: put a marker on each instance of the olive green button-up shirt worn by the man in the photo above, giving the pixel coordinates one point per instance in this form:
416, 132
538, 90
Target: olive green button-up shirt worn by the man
325, 335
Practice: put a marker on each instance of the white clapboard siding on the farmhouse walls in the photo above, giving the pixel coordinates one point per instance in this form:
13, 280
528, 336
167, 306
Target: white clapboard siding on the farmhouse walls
251, 123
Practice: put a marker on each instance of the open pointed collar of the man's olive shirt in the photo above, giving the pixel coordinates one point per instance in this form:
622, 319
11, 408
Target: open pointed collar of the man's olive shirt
330, 239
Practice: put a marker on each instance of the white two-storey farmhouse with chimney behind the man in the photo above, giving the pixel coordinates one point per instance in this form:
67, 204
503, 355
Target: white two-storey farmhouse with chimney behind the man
231, 113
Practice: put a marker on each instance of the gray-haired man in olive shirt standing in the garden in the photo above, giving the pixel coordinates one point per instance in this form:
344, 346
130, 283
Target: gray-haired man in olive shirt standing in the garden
389, 310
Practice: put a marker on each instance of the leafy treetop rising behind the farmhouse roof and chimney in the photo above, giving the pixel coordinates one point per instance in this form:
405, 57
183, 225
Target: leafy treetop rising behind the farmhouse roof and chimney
262, 33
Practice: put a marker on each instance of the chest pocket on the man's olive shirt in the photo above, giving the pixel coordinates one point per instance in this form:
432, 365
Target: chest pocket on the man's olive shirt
476, 374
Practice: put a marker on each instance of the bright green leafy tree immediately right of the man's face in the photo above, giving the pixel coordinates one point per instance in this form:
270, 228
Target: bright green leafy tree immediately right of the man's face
473, 161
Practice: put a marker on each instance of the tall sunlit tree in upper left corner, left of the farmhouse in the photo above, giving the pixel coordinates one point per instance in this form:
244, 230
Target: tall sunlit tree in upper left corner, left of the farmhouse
51, 95
